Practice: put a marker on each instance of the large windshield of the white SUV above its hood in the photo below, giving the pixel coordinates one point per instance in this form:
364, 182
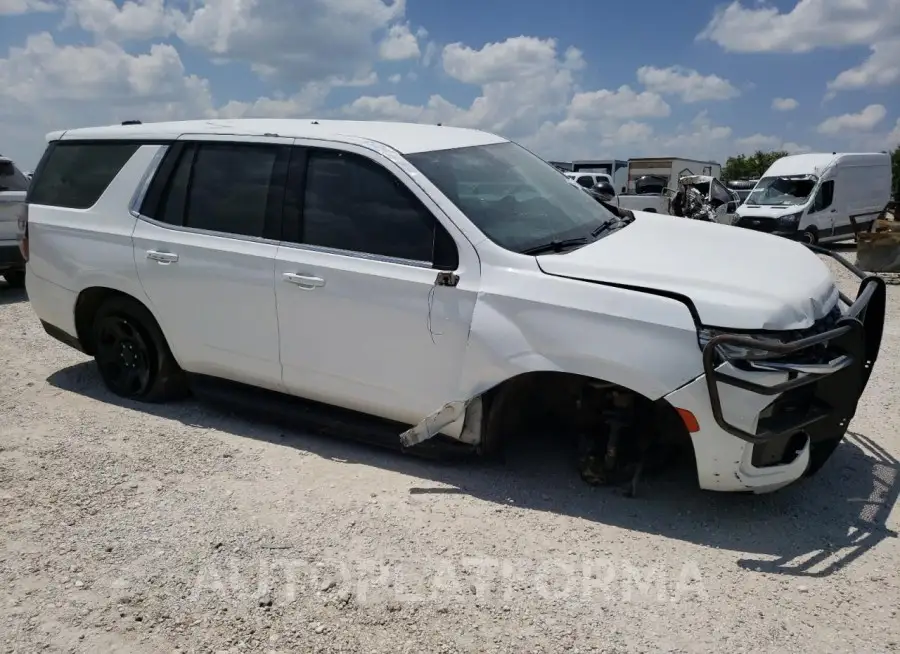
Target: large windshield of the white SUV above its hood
517, 199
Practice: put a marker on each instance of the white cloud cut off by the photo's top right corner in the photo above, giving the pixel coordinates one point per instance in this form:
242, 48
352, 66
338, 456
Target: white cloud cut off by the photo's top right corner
809, 25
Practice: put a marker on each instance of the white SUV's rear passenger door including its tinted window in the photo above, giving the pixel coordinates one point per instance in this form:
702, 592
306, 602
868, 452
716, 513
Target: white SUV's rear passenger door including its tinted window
205, 253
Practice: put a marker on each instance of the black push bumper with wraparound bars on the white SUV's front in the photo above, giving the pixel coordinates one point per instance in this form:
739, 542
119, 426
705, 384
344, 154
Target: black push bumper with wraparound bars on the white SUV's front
827, 371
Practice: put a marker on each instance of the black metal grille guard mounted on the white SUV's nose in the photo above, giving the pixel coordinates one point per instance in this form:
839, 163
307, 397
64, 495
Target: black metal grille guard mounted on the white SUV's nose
856, 337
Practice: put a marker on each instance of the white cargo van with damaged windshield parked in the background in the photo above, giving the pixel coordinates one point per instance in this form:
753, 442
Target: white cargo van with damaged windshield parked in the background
818, 197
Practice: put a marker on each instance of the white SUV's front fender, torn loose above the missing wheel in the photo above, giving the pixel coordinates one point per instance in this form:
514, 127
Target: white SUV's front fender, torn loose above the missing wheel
640, 341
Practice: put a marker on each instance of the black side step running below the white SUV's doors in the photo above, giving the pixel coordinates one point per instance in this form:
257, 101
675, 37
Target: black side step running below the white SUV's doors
293, 413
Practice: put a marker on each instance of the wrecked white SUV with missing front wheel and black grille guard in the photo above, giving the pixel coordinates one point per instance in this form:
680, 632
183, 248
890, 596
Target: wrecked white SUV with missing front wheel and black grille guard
439, 281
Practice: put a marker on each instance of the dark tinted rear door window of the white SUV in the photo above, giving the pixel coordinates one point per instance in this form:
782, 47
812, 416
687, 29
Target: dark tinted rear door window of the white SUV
229, 188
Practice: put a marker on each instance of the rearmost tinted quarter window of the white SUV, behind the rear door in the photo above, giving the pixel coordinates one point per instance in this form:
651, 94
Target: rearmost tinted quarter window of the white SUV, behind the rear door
76, 174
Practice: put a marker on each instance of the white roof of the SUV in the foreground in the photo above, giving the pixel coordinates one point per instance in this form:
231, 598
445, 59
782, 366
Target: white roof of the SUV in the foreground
404, 137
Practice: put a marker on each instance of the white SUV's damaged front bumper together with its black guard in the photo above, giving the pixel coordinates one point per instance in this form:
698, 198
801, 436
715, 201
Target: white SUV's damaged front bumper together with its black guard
771, 417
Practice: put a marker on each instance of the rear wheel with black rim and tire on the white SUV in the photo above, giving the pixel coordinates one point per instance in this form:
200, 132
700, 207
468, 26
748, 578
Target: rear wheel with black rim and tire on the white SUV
132, 355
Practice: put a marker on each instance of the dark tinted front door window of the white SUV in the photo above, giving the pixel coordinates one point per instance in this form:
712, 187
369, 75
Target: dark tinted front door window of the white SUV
352, 203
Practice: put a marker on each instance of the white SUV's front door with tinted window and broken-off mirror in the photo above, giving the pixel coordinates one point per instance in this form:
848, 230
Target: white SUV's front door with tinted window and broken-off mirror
363, 323
